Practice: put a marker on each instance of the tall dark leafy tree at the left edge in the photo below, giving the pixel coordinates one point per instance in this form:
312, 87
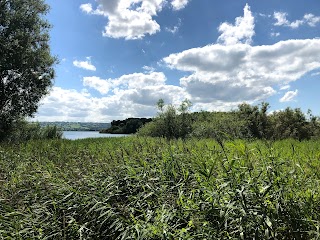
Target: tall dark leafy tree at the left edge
26, 64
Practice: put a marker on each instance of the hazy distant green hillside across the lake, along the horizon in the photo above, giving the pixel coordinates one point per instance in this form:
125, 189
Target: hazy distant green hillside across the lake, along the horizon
77, 126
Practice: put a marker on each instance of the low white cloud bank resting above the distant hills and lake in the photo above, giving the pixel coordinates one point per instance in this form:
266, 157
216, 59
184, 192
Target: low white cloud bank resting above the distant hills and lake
132, 95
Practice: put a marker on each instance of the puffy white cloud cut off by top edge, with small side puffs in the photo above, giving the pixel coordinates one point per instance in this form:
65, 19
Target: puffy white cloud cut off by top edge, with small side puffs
130, 19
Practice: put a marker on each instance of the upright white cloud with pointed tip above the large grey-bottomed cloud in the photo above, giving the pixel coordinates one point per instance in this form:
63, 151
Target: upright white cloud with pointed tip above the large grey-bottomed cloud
241, 32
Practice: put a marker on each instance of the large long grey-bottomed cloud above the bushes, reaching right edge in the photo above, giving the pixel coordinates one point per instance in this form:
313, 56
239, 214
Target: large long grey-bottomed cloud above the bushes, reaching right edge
242, 72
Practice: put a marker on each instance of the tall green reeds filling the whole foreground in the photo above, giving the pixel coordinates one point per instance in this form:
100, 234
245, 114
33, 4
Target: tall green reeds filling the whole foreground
143, 188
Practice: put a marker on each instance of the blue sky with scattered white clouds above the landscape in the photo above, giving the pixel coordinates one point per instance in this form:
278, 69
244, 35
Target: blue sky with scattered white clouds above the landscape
117, 58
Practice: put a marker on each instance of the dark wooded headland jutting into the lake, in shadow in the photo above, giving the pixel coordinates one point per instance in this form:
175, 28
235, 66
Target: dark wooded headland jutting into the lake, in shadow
127, 126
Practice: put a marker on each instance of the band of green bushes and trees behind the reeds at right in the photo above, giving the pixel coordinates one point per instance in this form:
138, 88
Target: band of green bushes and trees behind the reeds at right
247, 122
